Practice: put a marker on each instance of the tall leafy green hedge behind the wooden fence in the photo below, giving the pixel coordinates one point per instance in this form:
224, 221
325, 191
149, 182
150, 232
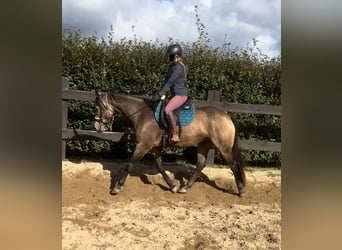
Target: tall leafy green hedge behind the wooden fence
139, 67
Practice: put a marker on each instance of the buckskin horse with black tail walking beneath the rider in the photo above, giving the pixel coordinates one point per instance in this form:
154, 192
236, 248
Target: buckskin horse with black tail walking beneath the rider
211, 128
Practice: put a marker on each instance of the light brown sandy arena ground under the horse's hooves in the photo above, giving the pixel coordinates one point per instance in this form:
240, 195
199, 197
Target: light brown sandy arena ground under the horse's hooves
145, 215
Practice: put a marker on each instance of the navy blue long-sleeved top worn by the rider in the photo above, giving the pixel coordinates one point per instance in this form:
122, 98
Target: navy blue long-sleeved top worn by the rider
174, 81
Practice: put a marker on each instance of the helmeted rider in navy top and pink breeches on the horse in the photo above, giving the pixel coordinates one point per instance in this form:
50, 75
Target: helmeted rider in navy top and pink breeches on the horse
174, 82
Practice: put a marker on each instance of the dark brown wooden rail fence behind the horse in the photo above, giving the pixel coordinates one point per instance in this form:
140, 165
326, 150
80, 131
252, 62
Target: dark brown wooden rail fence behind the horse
212, 99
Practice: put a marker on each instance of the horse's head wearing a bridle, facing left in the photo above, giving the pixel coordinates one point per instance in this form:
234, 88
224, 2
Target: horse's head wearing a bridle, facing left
104, 113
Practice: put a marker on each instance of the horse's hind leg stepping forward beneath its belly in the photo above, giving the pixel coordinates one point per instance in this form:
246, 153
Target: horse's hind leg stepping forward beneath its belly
202, 152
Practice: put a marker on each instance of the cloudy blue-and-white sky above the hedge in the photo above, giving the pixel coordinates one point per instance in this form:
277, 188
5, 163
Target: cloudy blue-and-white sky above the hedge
232, 21
